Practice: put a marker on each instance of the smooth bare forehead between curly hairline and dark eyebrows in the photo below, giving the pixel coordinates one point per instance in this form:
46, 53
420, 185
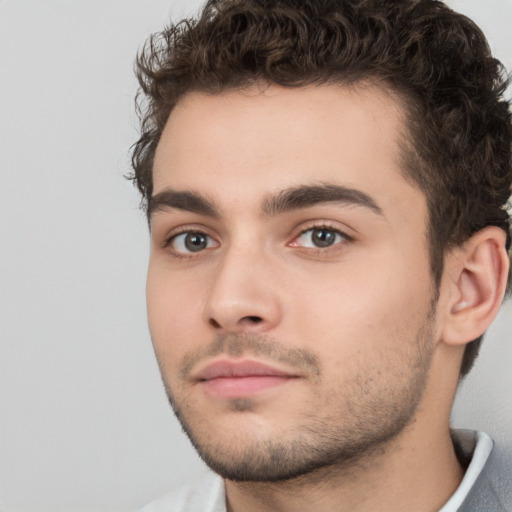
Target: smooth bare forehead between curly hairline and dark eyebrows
239, 146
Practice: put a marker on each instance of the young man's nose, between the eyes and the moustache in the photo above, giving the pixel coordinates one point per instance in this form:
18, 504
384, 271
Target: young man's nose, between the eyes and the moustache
242, 295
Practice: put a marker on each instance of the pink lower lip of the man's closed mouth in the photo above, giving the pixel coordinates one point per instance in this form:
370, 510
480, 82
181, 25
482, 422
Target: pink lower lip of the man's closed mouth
240, 387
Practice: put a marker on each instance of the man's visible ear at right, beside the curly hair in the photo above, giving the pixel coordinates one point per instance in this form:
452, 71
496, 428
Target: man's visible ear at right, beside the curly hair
475, 280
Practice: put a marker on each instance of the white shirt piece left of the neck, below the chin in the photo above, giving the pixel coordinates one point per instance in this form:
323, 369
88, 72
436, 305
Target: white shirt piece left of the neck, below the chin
204, 493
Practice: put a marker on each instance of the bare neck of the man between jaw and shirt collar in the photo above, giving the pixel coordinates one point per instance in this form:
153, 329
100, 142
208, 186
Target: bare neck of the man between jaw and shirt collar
406, 474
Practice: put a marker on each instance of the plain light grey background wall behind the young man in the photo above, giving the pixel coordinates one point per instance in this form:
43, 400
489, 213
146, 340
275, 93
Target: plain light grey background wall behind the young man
84, 423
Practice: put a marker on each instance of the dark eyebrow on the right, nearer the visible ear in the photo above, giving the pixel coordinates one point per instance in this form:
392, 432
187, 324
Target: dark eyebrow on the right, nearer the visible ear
306, 196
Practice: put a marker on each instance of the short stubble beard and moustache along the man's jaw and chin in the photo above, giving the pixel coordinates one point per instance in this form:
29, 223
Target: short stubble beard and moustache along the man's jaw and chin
355, 423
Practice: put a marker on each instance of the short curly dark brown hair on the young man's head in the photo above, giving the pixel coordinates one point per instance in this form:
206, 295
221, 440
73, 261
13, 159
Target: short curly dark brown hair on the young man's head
437, 60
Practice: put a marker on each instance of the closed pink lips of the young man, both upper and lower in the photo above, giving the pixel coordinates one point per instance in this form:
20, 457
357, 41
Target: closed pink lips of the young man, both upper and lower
239, 379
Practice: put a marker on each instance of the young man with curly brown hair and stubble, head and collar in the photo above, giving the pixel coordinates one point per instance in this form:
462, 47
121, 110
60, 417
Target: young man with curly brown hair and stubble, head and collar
325, 183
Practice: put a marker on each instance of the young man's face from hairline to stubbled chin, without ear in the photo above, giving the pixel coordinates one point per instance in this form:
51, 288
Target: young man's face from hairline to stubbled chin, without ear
289, 293
